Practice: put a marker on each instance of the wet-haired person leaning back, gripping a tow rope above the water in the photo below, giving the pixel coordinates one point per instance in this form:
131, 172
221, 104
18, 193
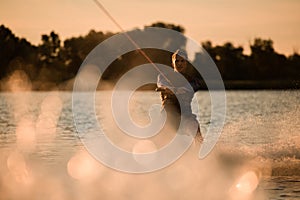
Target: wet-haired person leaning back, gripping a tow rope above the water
177, 91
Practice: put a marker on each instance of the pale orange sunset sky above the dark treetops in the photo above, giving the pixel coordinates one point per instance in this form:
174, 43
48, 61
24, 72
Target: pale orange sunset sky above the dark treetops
220, 21
